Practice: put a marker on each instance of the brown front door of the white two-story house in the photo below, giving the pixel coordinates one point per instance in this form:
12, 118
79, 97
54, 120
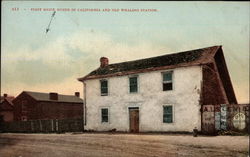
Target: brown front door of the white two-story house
134, 119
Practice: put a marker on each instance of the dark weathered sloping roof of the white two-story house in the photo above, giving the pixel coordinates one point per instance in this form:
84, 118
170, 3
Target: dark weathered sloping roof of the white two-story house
186, 58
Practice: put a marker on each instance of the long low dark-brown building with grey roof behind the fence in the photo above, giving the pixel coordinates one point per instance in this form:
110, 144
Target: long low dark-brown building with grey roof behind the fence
33, 106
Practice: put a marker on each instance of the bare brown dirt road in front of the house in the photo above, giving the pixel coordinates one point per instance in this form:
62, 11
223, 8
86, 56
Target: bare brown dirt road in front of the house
120, 145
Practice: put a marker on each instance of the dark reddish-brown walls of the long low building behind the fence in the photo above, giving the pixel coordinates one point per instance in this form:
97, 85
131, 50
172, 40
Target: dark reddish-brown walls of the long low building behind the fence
45, 110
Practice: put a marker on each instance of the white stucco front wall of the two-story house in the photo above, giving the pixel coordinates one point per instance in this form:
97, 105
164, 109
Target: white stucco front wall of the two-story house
150, 99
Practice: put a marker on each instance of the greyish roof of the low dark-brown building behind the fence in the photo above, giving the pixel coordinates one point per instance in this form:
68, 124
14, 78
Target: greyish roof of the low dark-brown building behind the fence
61, 98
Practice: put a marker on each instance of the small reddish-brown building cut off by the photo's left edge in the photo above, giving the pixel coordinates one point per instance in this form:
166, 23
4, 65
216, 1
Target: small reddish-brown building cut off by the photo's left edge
6, 108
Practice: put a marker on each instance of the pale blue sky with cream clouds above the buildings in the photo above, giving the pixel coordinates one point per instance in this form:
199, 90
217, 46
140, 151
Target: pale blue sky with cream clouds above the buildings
33, 60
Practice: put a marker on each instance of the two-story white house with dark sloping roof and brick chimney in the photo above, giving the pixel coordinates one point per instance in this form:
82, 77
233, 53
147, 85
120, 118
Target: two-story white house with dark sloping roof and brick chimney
158, 94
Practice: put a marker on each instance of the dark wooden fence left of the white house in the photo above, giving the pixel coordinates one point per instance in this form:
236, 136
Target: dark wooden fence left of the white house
43, 126
